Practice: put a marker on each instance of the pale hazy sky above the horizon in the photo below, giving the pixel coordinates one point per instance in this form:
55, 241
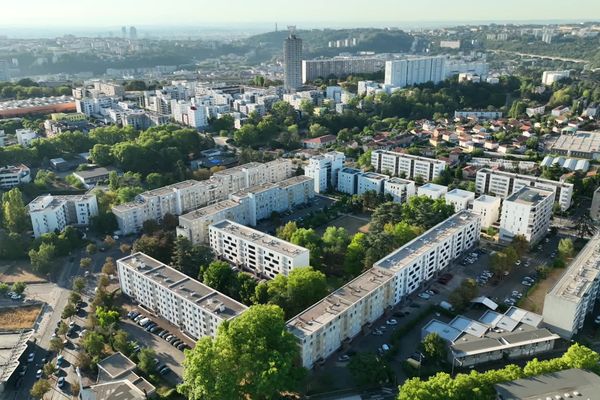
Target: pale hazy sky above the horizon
110, 13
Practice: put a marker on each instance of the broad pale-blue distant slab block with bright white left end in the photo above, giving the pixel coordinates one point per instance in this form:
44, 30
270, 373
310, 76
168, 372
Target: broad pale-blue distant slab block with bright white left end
414, 71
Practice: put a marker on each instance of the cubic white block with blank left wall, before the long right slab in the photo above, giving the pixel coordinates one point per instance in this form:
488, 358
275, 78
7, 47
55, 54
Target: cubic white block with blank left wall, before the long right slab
526, 212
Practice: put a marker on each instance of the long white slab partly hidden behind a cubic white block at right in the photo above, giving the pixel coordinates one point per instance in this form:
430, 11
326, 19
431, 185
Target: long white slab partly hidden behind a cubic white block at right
503, 184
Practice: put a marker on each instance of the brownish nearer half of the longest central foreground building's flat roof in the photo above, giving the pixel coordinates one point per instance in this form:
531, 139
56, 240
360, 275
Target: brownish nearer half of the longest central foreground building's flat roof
319, 314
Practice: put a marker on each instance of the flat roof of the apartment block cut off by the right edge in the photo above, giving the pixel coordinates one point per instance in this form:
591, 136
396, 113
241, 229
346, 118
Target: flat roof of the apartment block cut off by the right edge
581, 273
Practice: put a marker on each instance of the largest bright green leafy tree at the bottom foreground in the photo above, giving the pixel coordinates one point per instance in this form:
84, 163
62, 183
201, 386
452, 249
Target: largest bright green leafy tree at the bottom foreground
258, 353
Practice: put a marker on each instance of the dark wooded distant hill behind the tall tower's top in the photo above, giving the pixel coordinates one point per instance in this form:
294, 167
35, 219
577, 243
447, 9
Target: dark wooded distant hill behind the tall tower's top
315, 42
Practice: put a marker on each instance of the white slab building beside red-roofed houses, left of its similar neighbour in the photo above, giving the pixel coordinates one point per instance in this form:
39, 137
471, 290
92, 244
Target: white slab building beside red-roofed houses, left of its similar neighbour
406, 165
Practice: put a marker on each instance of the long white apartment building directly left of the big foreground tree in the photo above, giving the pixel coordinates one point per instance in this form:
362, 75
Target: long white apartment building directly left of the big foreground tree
196, 309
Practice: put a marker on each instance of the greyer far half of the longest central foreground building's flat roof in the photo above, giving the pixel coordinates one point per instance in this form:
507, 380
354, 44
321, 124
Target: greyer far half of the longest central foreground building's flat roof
418, 246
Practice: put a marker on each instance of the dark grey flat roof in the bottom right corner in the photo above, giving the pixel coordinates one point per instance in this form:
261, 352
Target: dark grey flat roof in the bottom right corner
577, 383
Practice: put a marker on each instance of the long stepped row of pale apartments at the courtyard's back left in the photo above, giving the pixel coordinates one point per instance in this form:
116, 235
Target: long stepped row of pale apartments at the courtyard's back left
183, 197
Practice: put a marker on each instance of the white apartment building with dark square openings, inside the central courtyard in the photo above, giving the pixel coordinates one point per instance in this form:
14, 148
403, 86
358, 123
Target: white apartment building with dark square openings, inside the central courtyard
263, 255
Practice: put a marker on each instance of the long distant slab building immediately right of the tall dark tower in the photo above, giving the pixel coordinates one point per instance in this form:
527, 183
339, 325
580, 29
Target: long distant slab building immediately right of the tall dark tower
340, 67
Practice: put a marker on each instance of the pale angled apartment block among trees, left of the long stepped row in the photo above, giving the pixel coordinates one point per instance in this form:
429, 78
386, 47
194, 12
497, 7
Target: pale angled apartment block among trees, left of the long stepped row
53, 213
